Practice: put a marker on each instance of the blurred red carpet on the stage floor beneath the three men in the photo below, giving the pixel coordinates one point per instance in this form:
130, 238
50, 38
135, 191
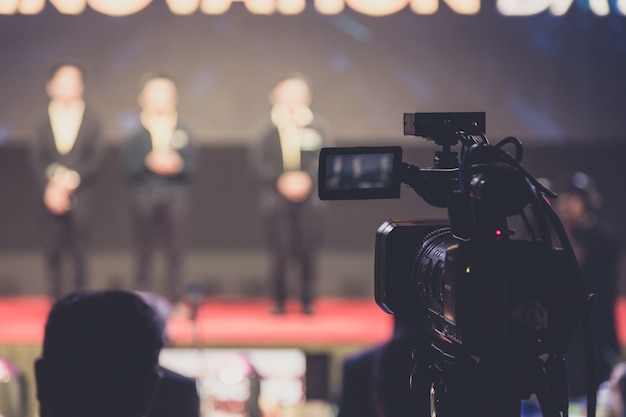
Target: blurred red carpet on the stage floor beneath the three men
236, 322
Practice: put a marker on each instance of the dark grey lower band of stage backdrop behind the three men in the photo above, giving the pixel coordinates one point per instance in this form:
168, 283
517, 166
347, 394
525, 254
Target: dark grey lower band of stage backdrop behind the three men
223, 213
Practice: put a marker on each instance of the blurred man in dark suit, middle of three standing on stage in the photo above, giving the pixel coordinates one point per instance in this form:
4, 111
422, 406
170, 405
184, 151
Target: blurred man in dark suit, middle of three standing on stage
160, 161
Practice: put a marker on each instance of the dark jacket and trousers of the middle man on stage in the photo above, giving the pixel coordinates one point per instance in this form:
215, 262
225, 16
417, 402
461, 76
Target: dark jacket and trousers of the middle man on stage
159, 204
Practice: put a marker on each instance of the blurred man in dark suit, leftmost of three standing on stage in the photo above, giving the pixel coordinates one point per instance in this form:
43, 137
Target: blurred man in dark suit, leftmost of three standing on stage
66, 155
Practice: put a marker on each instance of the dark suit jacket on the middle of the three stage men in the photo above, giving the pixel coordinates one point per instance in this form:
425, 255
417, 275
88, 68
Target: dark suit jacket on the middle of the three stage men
142, 179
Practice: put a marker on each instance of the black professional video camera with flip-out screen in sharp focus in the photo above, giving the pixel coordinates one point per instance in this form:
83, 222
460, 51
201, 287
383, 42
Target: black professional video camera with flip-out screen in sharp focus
503, 299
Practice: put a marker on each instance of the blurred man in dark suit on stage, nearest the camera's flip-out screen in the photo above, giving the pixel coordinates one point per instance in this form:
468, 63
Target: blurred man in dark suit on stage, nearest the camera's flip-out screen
284, 161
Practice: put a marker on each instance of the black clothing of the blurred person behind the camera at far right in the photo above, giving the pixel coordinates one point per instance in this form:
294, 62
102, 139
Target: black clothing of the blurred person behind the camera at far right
599, 264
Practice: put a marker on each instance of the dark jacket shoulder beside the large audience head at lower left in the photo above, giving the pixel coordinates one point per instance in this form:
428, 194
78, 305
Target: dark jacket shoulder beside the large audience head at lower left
176, 396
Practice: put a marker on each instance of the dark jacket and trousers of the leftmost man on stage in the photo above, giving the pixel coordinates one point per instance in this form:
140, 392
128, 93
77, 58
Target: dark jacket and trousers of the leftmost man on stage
70, 230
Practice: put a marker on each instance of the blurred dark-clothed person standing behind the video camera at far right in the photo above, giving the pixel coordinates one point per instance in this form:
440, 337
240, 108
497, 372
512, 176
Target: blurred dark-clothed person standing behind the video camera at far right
597, 250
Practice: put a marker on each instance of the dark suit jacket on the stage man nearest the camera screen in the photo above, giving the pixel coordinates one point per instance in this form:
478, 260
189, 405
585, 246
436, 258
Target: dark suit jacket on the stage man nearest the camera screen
266, 162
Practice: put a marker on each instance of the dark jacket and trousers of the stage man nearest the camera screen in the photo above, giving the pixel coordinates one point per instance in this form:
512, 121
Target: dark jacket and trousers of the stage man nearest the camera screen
292, 229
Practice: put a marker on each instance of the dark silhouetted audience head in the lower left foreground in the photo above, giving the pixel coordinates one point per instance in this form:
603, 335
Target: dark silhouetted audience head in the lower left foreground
100, 356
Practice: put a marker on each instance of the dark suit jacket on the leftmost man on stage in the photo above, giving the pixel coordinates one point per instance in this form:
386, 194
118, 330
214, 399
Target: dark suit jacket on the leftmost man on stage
85, 157
